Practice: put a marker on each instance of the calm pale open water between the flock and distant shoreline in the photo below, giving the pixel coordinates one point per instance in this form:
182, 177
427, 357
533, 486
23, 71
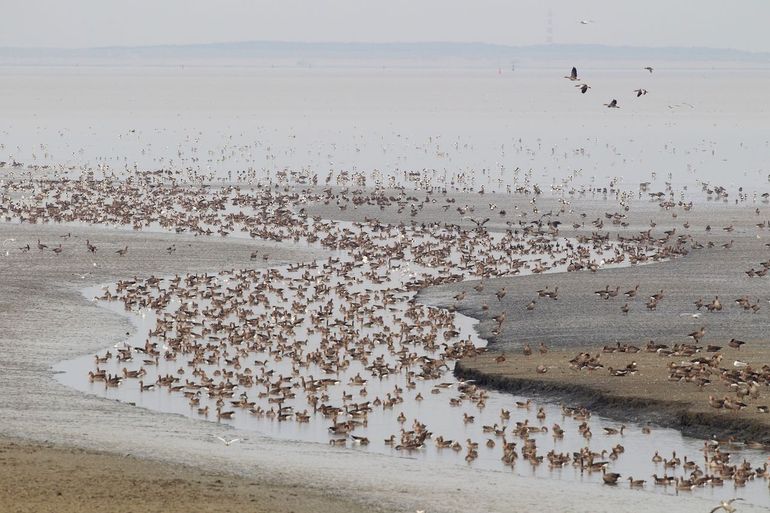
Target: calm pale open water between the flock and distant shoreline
460, 129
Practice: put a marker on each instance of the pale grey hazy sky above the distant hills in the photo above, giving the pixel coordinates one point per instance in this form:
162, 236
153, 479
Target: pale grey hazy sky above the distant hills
740, 24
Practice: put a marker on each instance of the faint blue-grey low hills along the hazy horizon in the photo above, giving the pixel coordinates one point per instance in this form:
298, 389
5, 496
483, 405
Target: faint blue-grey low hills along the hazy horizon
426, 54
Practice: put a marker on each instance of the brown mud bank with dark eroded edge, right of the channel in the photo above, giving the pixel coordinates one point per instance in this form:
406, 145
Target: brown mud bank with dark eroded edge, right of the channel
648, 395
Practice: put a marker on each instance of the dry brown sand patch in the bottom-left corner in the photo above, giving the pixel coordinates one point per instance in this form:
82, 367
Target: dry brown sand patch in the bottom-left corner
50, 478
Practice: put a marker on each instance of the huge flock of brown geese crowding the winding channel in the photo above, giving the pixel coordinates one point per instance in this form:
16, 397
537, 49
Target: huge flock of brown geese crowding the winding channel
341, 340
